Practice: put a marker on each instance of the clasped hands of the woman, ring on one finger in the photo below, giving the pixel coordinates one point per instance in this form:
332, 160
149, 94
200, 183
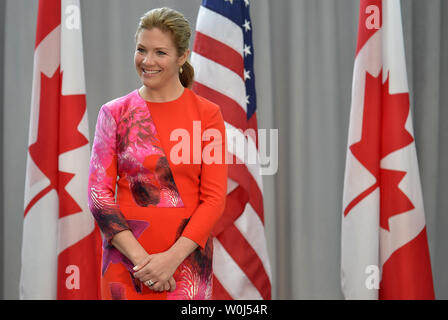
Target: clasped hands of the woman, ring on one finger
158, 268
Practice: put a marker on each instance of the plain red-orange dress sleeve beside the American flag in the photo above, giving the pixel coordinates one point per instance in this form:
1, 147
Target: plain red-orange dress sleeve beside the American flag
213, 182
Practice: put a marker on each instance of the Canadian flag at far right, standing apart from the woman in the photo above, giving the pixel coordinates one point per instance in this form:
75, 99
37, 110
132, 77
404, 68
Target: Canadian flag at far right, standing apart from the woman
384, 246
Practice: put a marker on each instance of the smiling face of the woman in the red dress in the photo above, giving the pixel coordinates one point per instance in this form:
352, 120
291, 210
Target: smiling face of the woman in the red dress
156, 59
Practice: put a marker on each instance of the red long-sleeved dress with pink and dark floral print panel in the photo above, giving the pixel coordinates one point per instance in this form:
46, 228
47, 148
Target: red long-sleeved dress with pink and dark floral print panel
166, 188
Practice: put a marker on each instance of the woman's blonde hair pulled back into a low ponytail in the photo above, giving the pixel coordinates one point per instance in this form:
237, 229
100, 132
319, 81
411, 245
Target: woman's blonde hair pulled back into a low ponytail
169, 20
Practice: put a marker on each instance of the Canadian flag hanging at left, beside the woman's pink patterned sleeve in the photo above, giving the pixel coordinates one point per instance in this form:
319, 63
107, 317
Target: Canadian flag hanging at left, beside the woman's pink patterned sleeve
59, 256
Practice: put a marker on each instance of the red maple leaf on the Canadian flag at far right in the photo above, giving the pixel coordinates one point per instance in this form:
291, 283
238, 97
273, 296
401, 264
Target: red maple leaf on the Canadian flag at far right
383, 132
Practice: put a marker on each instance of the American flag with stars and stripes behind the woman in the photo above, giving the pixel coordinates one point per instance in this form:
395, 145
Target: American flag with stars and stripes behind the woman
223, 58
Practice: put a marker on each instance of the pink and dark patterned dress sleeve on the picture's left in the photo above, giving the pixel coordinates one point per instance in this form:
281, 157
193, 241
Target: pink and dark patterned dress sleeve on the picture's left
103, 177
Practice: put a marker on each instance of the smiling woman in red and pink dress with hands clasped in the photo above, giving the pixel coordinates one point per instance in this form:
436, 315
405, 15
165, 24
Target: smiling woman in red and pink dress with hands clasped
157, 233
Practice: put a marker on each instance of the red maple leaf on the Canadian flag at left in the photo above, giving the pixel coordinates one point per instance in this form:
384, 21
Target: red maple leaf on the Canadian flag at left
59, 117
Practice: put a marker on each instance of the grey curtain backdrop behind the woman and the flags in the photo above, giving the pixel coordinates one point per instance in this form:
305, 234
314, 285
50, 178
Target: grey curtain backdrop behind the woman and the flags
304, 54
